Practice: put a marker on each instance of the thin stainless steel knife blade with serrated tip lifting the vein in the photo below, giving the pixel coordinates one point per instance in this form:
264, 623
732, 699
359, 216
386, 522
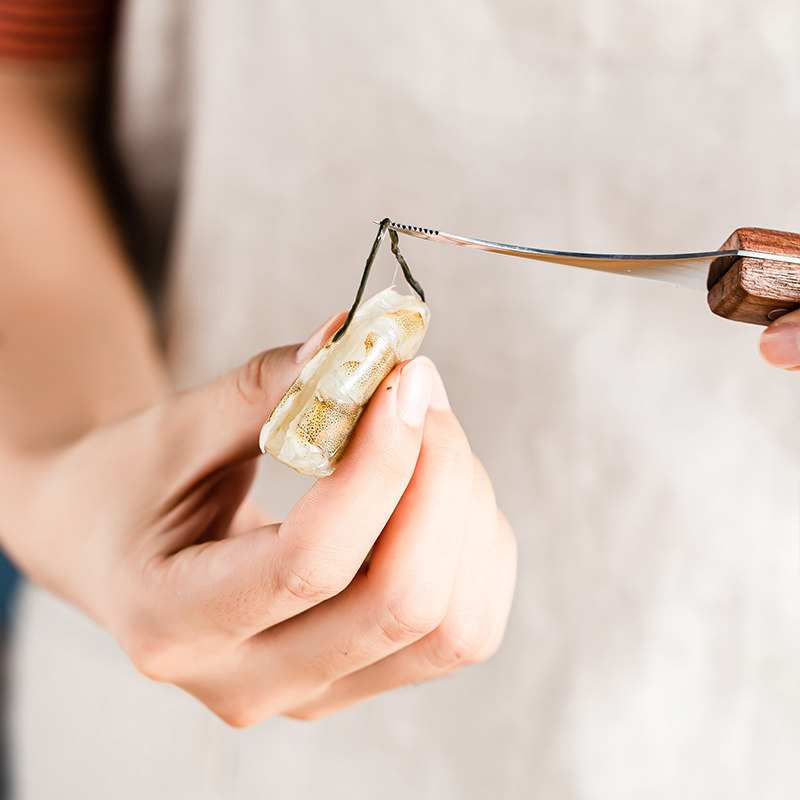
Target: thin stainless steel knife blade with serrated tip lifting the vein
688, 270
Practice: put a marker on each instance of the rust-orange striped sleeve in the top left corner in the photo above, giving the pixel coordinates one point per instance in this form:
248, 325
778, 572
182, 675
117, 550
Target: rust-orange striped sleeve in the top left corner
55, 30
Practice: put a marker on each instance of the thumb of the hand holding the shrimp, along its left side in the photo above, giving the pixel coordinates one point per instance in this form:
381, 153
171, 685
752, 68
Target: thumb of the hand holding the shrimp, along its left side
217, 425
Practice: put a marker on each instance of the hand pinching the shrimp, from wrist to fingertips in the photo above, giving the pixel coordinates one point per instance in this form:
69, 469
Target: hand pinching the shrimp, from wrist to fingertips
142, 524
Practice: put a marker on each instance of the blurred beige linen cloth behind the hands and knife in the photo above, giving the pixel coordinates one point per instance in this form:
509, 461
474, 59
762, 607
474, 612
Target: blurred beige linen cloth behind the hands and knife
645, 455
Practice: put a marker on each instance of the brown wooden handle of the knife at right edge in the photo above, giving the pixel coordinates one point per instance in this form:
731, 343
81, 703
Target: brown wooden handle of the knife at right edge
754, 289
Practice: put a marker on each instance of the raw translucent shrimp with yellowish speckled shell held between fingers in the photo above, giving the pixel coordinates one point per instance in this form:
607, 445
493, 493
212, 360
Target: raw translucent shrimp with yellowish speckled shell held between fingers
311, 425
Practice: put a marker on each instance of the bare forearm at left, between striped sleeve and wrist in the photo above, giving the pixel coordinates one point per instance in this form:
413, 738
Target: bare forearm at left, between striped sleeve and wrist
77, 346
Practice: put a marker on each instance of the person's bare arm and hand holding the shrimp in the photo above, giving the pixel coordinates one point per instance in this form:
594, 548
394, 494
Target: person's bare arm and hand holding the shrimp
130, 500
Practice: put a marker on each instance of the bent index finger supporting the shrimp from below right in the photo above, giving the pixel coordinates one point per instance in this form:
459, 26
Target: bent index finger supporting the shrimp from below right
250, 582
